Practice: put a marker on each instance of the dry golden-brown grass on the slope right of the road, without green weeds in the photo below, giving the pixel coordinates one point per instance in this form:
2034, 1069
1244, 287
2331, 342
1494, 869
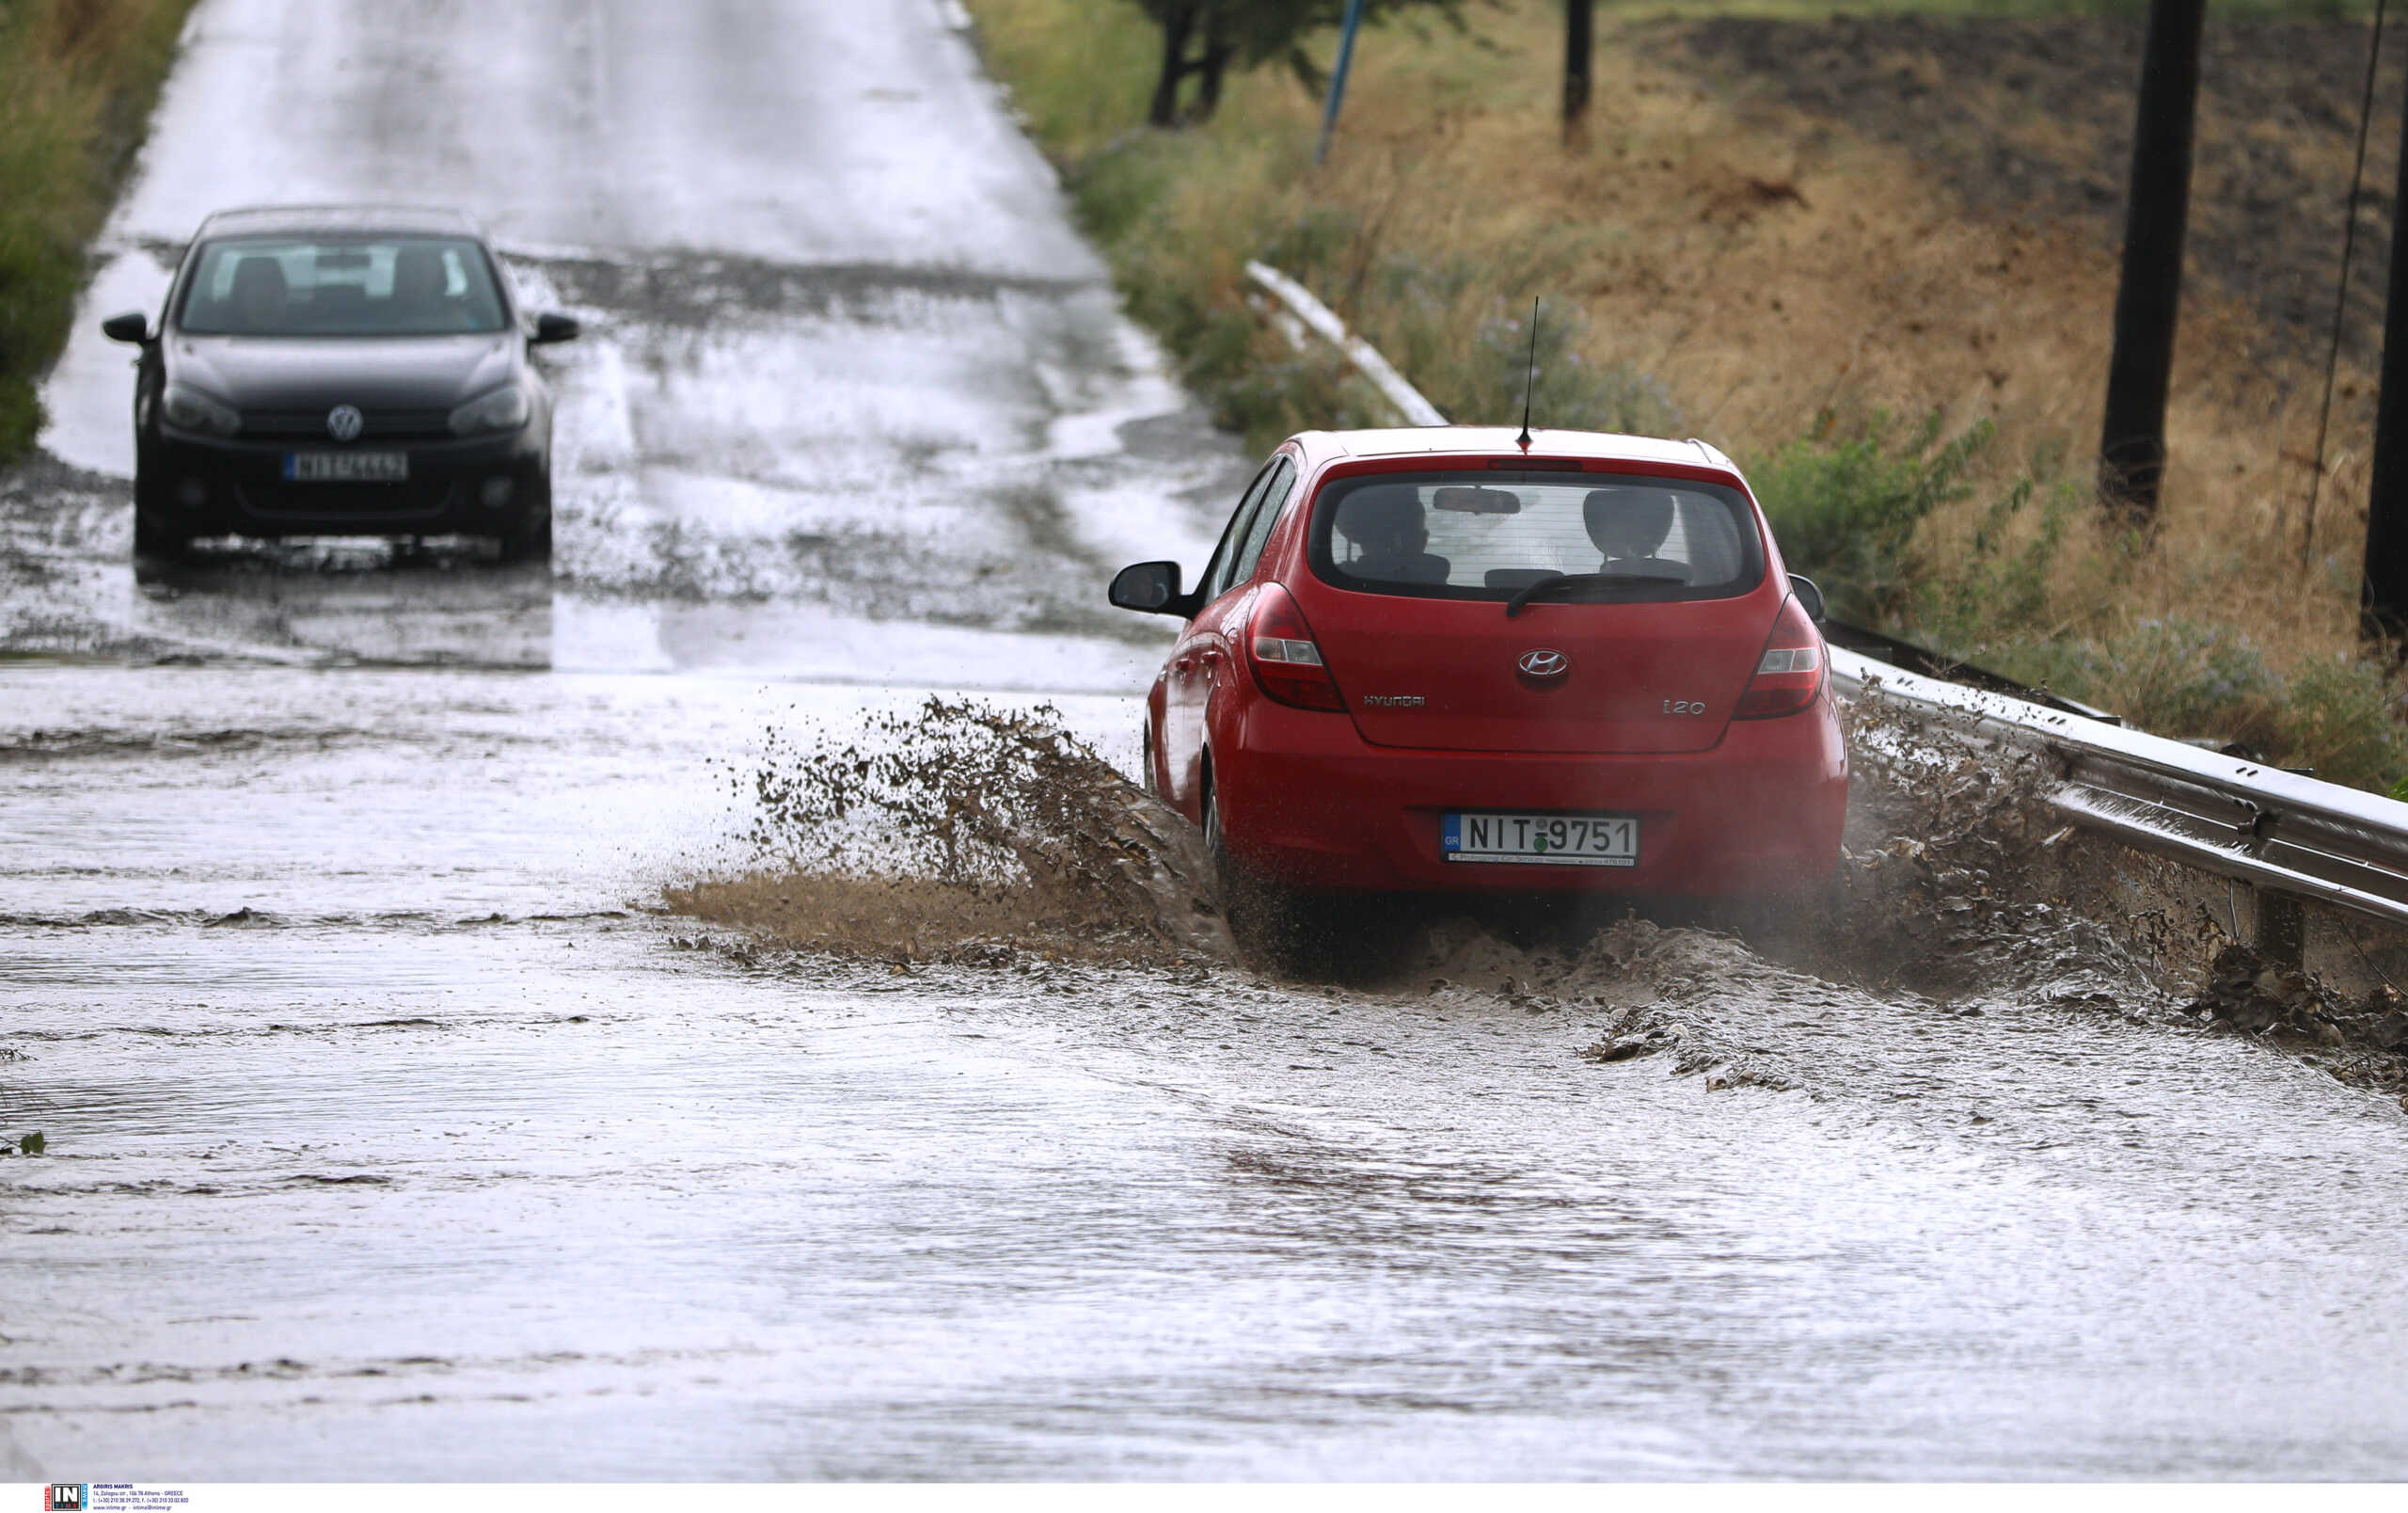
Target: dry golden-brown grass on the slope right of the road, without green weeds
1769, 271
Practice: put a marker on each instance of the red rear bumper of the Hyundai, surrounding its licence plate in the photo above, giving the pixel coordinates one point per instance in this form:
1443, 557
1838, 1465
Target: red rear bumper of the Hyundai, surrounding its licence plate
1311, 803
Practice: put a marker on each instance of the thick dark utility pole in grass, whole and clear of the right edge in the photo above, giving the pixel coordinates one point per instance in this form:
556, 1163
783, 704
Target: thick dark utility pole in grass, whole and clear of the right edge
2142, 367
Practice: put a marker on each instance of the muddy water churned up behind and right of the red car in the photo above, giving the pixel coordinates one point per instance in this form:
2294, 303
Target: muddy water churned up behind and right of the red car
1964, 909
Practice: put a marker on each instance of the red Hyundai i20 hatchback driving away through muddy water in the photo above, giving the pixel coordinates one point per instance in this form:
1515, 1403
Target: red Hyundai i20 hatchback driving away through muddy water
1453, 661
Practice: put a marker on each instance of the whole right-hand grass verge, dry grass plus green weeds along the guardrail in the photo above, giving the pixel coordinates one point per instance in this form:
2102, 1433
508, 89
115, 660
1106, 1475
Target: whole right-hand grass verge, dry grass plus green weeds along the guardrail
1913, 382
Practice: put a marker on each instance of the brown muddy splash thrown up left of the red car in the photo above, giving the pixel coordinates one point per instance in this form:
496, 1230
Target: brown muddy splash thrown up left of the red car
962, 832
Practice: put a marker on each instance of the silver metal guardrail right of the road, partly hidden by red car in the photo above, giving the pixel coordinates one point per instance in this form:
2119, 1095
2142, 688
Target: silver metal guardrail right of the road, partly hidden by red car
2243, 820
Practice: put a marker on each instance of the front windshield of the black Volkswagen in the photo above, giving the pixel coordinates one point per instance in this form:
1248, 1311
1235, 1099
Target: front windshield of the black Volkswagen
341, 288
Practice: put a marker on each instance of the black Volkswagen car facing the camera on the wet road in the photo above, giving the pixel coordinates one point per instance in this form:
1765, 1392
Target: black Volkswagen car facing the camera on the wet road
341, 372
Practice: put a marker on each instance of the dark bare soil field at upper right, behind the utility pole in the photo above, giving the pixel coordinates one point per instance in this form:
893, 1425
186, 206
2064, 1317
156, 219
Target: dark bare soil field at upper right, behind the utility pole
2031, 122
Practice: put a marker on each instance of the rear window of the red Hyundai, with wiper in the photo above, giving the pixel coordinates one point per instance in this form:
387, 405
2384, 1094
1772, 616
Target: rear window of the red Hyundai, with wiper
1487, 536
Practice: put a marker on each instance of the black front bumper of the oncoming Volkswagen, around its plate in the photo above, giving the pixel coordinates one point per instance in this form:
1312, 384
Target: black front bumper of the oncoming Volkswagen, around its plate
240, 488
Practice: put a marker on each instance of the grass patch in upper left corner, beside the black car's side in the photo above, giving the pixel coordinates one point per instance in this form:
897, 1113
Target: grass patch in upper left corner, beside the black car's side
78, 78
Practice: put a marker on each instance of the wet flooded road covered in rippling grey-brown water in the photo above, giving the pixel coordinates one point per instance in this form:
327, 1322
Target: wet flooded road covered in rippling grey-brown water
394, 1131
